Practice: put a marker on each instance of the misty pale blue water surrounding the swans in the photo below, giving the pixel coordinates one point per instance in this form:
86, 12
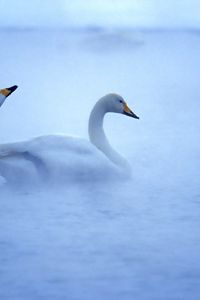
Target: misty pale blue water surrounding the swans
117, 239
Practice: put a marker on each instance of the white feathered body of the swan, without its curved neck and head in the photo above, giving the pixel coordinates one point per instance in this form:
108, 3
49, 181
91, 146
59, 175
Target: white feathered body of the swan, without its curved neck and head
54, 156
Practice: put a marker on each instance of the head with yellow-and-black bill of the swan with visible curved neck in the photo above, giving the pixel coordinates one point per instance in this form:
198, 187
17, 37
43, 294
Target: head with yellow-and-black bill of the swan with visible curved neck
115, 103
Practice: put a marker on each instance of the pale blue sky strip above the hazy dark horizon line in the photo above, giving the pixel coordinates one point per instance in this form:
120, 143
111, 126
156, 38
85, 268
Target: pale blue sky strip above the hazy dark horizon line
164, 13
